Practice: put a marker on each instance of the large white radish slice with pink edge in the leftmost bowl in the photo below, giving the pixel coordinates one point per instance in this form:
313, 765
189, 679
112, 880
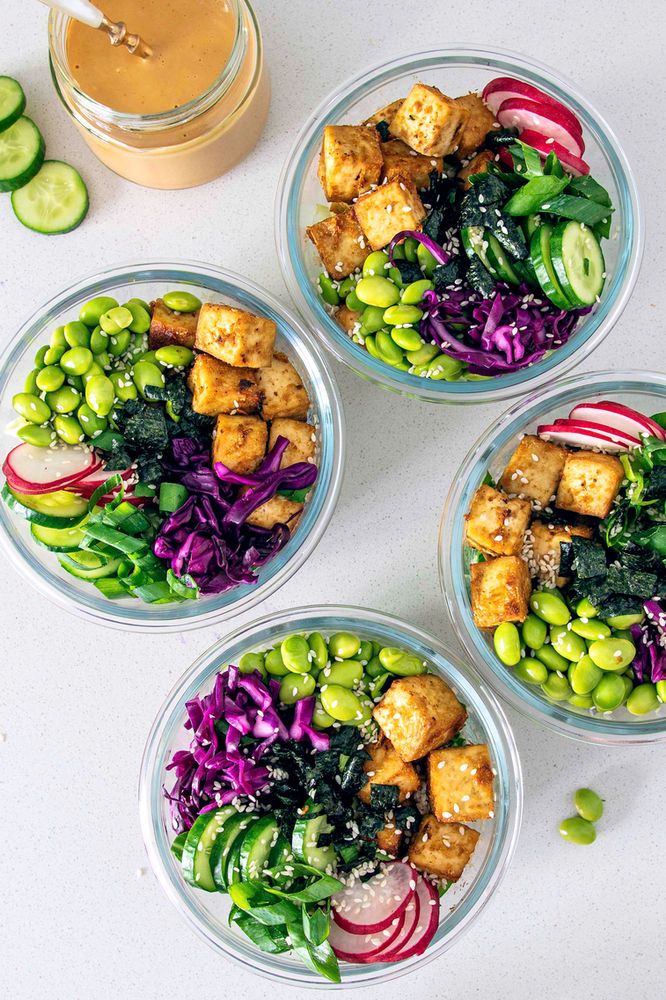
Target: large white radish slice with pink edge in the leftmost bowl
45, 470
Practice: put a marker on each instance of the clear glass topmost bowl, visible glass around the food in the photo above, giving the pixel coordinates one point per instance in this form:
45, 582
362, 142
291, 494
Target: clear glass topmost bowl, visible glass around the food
455, 70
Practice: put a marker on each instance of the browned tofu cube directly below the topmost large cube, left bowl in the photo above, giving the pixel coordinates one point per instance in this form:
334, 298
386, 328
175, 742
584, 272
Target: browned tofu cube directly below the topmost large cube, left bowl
220, 388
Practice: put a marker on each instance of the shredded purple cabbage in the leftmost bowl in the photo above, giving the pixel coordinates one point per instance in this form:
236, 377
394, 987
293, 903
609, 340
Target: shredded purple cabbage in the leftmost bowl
207, 539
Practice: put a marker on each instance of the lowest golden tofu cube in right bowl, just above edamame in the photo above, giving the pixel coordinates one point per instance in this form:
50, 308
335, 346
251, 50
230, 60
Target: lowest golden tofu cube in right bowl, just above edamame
501, 590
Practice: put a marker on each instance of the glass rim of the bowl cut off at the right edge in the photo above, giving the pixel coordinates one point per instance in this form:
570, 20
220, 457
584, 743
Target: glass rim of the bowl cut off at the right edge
597, 729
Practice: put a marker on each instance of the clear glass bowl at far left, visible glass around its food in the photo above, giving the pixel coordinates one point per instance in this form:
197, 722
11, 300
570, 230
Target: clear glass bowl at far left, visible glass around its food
211, 284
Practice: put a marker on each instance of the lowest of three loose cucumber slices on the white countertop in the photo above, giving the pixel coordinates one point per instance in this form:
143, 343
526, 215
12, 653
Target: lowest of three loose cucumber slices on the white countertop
54, 201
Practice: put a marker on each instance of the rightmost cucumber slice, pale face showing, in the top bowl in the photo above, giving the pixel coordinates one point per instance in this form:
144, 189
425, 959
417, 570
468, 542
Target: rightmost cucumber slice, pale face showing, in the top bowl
578, 262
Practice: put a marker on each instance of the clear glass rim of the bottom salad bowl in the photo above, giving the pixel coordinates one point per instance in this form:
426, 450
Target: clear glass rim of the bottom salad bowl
306, 618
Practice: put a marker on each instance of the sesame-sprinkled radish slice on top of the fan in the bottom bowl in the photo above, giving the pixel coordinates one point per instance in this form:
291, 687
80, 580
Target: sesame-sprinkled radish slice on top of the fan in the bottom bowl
368, 907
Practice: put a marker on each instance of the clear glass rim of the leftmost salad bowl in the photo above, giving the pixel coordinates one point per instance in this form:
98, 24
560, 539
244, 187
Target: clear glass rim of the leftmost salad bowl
200, 273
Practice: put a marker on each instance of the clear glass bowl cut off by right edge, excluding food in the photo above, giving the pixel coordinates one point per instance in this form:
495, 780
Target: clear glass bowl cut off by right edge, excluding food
644, 392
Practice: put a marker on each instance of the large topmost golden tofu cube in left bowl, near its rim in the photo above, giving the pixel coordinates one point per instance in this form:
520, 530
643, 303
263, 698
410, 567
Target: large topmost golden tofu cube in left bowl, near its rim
235, 336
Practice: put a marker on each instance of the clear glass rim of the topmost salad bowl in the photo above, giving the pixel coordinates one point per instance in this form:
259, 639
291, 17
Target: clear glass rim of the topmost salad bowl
289, 237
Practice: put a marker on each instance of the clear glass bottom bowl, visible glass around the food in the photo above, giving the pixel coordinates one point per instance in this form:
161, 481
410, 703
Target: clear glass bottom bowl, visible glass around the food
206, 912
